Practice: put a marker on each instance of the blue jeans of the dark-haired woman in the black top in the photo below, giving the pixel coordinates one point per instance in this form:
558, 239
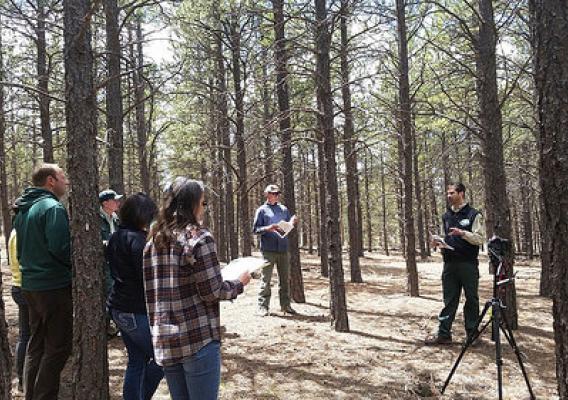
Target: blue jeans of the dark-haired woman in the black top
142, 375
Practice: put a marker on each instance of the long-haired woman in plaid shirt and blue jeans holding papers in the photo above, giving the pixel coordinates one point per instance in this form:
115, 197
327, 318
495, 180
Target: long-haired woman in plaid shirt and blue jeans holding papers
183, 286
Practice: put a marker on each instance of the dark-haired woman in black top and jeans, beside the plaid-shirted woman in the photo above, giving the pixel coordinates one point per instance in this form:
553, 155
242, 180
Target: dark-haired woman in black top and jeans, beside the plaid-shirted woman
126, 300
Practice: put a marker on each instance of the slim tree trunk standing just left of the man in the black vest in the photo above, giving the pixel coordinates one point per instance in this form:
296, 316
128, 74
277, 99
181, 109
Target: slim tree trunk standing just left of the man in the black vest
406, 133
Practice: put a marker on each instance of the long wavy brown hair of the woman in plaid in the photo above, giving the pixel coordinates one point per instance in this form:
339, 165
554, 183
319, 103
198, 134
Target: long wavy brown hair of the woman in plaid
181, 198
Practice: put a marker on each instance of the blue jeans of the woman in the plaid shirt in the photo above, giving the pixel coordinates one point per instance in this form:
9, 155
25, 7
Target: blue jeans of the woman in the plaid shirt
198, 377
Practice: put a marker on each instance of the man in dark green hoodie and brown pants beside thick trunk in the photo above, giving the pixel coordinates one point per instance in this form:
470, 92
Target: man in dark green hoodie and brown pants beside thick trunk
43, 248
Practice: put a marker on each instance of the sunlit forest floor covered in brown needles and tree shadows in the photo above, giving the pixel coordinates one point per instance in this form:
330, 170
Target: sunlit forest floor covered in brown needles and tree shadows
383, 357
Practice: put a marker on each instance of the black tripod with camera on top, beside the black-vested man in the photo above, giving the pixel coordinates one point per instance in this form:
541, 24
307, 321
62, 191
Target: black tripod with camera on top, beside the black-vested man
499, 323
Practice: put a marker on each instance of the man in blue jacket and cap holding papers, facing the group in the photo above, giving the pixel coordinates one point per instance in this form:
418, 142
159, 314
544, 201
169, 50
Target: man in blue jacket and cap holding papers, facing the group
274, 248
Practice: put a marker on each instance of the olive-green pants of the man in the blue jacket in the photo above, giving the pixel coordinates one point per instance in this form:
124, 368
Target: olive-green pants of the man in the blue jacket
283, 266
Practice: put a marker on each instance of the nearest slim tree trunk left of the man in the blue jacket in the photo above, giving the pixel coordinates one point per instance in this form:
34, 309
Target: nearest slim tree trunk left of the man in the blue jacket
246, 234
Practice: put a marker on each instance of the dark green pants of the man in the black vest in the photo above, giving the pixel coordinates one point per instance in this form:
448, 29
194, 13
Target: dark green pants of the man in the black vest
458, 275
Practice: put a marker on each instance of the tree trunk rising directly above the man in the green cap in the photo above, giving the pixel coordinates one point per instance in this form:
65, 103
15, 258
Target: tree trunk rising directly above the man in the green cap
114, 119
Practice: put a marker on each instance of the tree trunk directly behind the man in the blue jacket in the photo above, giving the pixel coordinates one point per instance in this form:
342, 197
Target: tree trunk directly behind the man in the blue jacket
281, 61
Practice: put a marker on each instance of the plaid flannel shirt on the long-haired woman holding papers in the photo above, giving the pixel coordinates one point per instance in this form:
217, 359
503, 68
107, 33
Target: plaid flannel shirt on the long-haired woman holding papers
183, 287
